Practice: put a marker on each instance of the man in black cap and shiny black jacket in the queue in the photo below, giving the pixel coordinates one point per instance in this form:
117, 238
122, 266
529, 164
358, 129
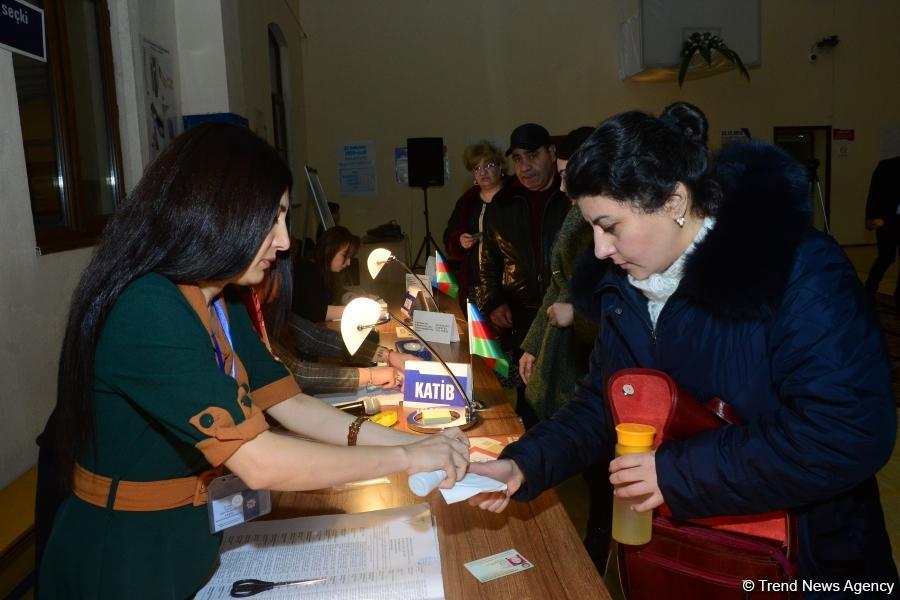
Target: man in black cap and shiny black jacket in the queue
520, 227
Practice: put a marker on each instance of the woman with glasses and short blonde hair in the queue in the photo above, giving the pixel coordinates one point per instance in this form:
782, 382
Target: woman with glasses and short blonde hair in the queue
488, 168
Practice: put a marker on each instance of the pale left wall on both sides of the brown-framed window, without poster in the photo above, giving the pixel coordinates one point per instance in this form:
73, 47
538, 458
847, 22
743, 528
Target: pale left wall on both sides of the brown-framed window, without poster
35, 290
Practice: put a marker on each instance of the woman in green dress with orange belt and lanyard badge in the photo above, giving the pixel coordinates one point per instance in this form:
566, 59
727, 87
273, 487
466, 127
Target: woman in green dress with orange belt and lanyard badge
163, 382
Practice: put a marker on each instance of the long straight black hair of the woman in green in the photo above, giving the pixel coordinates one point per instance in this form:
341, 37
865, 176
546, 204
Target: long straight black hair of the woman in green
199, 213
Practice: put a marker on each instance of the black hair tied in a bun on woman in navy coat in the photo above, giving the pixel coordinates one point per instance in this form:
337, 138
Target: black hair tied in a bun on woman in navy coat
637, 158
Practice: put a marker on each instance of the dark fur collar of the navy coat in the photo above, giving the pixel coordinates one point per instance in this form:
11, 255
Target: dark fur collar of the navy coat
739, 271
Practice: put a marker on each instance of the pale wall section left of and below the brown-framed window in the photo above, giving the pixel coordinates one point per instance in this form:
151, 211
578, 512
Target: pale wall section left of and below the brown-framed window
34, 295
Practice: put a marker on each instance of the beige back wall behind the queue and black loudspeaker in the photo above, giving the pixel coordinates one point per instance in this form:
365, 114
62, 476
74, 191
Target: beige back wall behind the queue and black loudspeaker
383, 72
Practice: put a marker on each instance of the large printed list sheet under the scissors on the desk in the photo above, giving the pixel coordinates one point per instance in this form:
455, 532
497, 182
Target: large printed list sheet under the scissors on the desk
385, 554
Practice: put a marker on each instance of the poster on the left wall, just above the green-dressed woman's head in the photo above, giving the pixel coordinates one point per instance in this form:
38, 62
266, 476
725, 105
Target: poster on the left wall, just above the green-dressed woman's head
160, 97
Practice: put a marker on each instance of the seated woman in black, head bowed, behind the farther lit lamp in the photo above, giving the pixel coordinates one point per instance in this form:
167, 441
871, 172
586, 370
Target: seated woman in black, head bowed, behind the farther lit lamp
314, 290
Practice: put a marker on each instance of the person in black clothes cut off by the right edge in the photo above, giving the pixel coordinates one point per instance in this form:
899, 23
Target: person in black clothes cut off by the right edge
883, 215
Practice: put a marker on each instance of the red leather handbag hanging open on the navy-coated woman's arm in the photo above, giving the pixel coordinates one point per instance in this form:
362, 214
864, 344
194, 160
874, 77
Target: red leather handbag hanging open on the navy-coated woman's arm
700, 558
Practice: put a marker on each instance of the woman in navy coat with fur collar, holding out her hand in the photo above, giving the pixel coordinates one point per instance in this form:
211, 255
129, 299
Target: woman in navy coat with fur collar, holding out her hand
721, 282
